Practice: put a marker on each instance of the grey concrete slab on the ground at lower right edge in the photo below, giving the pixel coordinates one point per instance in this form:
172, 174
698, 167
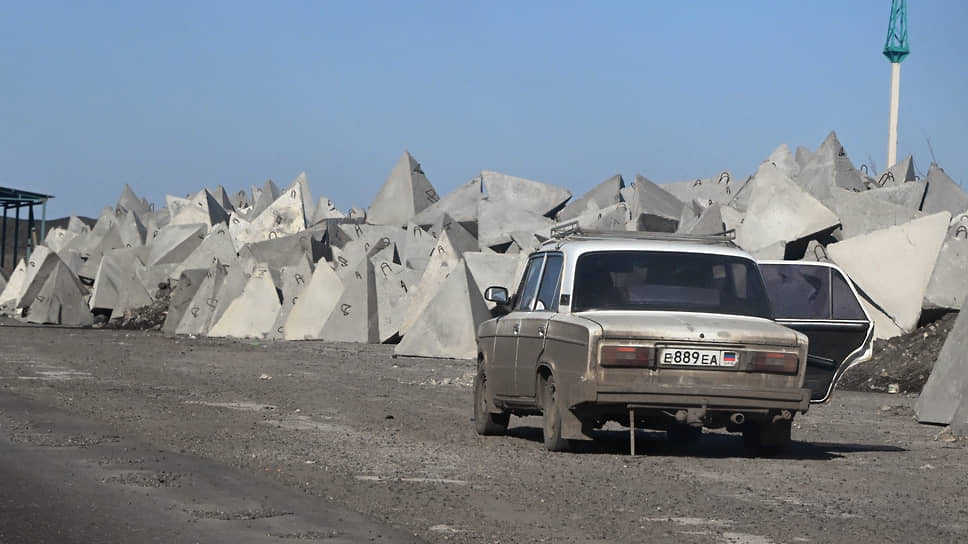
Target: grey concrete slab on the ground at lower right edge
947, 386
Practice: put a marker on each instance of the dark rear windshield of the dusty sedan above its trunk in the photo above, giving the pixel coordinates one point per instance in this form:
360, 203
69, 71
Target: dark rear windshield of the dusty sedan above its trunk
669, 281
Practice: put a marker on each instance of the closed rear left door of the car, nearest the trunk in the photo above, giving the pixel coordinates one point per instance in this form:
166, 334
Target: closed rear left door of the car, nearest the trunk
534, 323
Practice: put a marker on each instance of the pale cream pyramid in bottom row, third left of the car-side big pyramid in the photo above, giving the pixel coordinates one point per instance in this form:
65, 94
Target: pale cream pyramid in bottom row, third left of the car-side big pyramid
253, 312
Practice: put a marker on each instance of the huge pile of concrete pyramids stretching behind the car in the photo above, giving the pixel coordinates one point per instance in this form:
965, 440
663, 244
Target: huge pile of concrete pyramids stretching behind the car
277, 263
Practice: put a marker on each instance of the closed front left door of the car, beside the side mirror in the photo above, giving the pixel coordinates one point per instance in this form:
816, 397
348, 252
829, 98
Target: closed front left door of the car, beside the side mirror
501, 376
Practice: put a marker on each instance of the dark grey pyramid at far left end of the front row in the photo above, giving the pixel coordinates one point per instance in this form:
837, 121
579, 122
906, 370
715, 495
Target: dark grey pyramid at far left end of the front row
60, 300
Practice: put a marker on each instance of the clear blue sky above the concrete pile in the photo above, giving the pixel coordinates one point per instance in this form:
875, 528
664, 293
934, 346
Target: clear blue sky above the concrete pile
175, 96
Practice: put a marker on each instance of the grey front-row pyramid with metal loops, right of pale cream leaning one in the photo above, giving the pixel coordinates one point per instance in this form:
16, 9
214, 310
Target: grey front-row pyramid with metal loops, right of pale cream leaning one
355, 317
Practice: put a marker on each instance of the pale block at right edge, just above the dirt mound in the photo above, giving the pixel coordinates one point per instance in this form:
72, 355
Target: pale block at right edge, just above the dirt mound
949, 282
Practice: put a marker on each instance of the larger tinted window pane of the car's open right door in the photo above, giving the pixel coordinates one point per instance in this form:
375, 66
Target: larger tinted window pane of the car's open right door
798, 291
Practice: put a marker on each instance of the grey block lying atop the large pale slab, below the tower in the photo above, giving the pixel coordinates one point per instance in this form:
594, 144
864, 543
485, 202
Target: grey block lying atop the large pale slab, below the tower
862, 213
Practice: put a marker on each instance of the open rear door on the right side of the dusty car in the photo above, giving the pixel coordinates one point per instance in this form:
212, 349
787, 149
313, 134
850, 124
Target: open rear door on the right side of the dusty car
818, 300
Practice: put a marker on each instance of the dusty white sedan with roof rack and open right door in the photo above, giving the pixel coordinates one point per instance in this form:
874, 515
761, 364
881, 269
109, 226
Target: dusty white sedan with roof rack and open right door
665, 332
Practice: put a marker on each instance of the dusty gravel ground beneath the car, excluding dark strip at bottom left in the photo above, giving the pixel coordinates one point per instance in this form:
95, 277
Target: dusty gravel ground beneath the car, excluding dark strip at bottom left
391, 439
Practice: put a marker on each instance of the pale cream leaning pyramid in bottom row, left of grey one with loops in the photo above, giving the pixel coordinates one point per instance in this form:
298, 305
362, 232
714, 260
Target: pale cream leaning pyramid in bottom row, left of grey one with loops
315, 304
